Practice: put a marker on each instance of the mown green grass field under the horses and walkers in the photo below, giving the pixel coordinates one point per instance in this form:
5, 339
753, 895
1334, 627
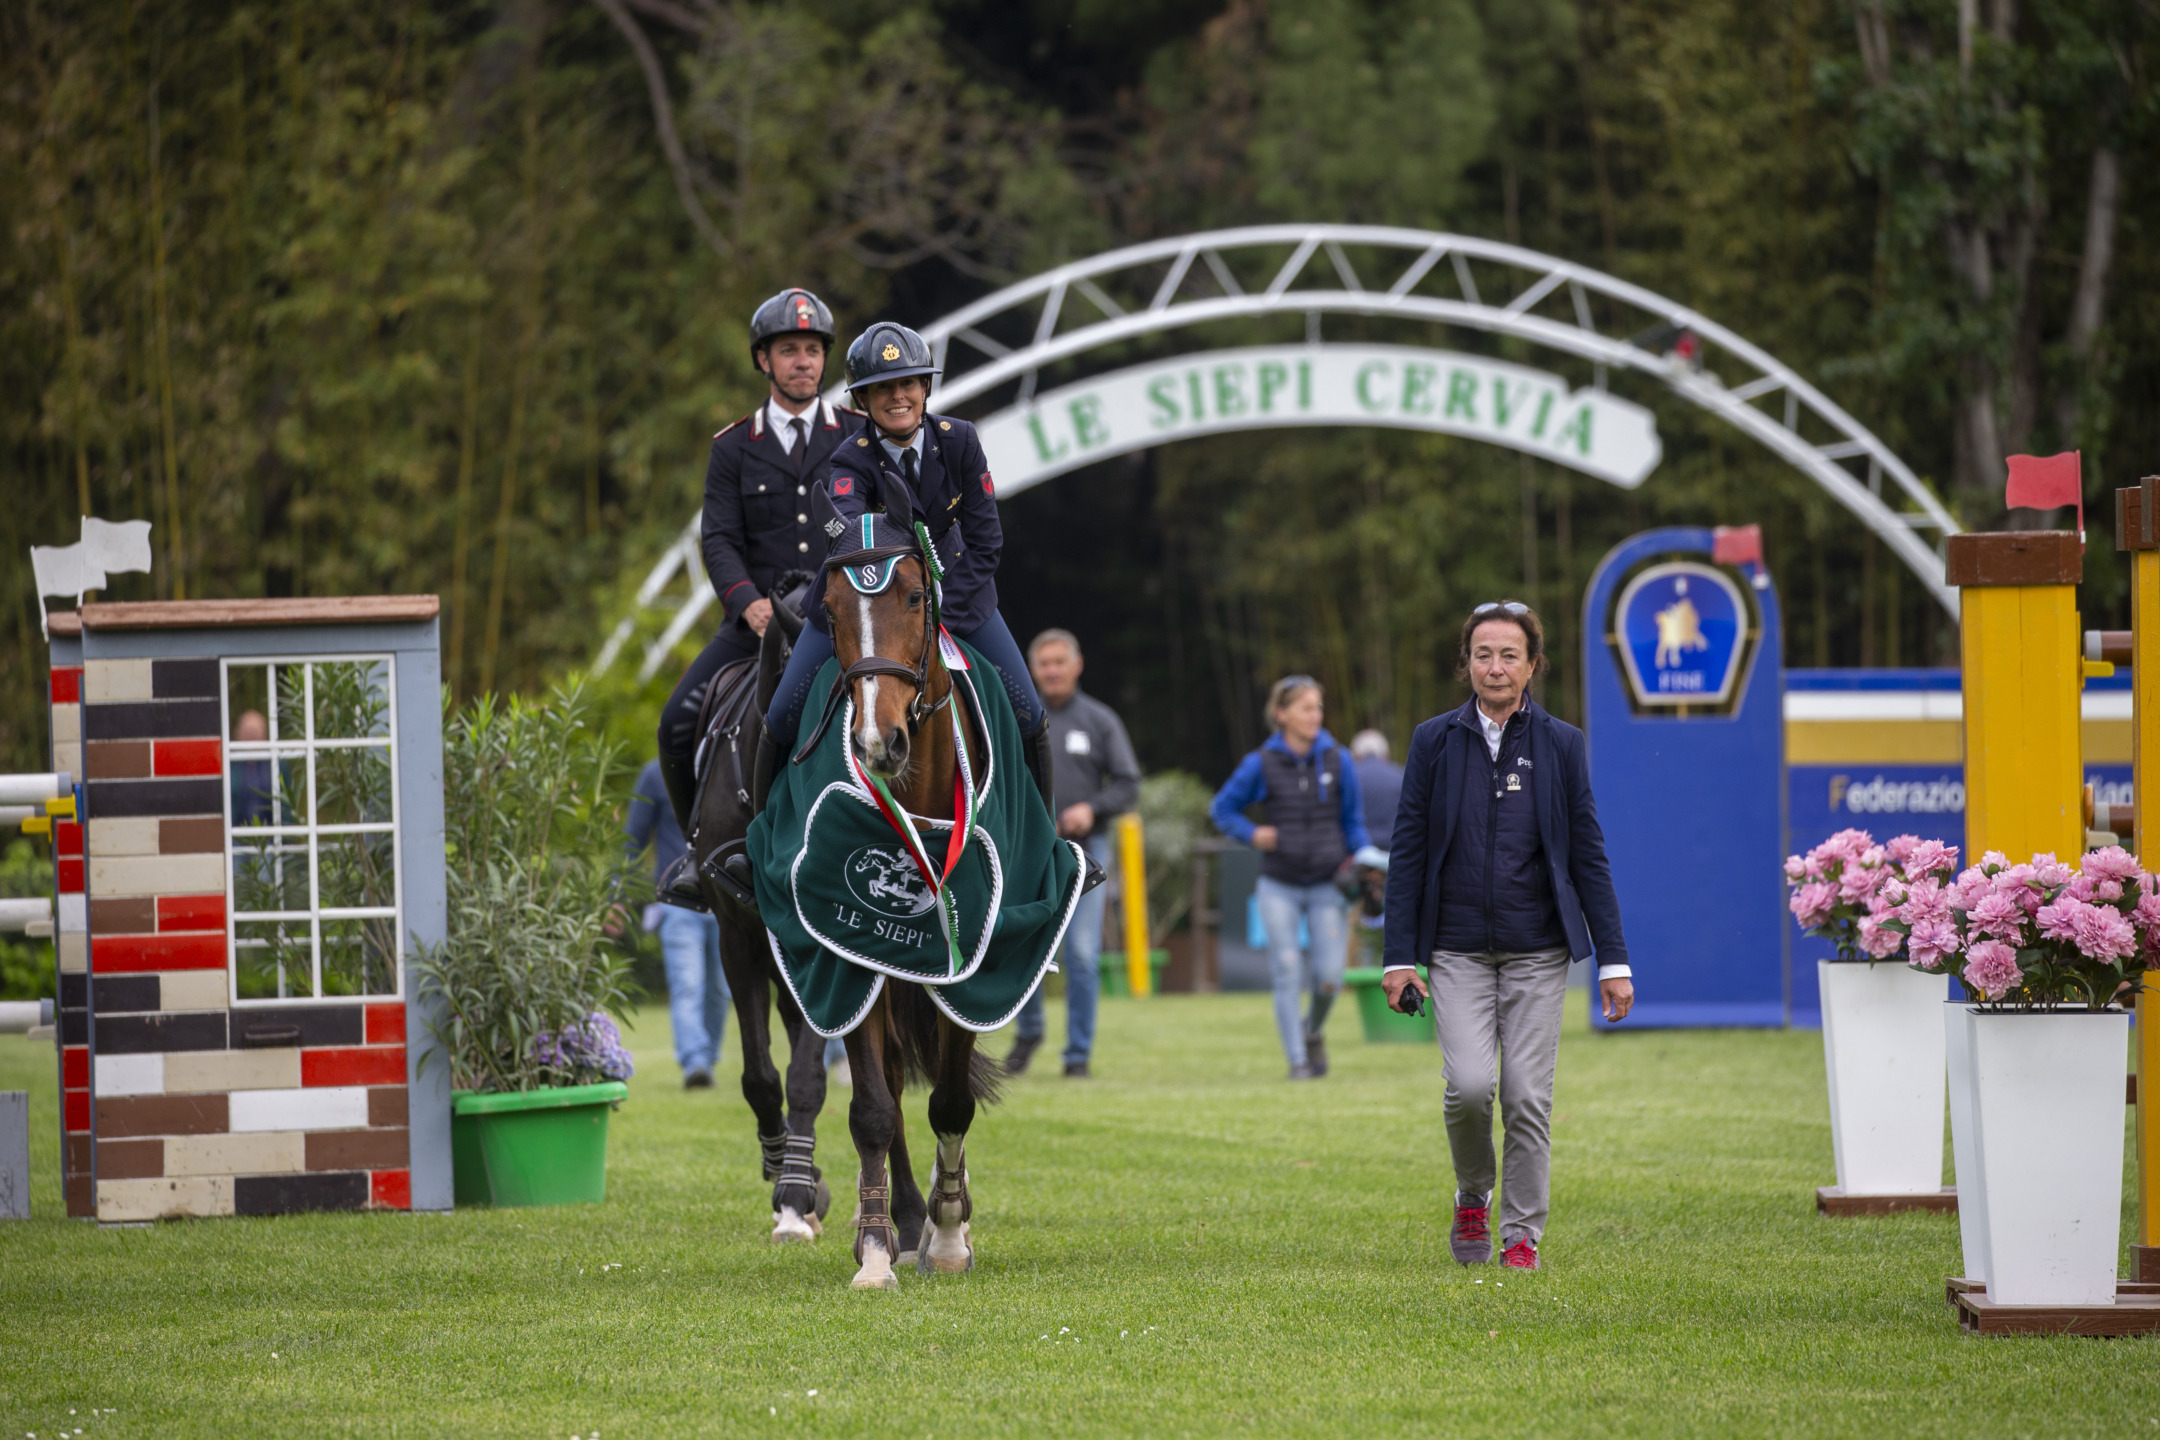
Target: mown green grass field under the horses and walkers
1185, 1245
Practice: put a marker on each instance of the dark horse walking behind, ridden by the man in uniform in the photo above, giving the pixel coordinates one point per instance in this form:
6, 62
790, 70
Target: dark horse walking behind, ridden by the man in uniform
787, 1115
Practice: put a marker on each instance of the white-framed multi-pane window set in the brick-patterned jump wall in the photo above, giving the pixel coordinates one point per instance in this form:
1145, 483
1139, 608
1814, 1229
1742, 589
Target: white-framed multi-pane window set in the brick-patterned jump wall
308, 748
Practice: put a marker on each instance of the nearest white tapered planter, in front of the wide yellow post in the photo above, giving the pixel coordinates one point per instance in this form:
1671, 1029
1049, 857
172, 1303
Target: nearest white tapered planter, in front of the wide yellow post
2049, 1147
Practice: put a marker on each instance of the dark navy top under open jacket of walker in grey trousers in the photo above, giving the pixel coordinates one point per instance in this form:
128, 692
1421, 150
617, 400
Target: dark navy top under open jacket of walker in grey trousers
1494, 886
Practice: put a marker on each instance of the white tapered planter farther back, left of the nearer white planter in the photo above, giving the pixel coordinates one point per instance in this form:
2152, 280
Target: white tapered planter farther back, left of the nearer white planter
1885, 1055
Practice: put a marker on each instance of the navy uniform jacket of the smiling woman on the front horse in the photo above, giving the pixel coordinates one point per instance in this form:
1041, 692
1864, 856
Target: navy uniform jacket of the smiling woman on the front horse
958, 506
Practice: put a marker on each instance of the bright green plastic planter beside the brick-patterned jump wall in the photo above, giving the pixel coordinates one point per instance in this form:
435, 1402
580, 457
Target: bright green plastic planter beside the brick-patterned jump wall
532, 1147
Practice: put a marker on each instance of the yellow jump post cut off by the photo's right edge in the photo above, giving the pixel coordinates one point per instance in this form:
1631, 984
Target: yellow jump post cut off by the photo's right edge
2135, 515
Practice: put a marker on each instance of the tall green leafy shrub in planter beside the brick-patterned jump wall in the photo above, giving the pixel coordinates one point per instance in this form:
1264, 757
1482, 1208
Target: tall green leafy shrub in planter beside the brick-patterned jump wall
535, 856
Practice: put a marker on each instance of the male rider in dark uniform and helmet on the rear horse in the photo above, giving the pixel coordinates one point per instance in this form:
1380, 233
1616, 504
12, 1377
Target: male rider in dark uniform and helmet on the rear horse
757, 524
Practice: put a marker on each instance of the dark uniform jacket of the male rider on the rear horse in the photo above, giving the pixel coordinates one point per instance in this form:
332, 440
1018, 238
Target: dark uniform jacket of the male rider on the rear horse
757, 502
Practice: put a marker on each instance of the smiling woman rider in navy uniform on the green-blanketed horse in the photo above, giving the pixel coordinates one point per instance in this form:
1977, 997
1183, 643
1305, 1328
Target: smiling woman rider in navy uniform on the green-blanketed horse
889, 372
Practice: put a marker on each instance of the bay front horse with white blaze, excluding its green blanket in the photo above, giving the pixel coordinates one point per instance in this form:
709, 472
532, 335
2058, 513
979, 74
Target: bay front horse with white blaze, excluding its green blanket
897, 679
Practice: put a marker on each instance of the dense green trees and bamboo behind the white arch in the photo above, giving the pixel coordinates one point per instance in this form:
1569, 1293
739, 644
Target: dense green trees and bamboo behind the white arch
448, 297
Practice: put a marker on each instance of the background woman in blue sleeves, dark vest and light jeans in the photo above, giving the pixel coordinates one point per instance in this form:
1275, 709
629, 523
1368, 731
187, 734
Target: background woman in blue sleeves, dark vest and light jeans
1314, 819
